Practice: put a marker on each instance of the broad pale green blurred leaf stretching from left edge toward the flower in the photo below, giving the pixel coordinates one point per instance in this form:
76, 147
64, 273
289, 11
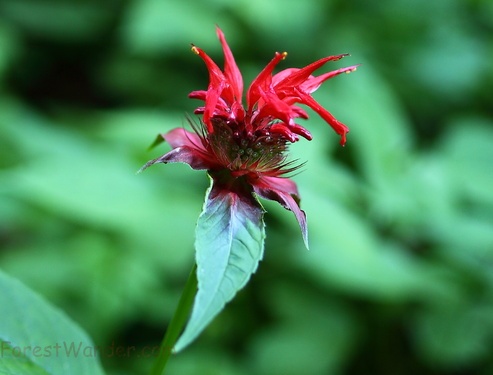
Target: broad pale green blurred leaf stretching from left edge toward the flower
97, 185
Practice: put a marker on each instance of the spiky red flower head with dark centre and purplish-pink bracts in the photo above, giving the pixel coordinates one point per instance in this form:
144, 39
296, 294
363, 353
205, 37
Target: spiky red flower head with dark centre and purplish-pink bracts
243, 149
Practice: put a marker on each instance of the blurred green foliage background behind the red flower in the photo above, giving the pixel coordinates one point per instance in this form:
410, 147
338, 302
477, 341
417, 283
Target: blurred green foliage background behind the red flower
399, 278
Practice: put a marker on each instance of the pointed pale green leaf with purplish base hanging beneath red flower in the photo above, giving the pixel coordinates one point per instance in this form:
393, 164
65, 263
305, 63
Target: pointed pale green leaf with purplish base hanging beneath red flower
229, 244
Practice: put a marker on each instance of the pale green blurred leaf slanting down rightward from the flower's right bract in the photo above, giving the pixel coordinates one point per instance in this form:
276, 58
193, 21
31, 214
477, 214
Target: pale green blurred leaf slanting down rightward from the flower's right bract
347, 253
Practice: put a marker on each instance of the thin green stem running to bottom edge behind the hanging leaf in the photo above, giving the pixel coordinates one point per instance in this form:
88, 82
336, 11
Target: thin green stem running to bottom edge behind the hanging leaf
177, 323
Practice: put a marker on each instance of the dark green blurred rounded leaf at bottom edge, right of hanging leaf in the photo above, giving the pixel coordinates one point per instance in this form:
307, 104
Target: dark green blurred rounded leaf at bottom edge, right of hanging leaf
310, 334
